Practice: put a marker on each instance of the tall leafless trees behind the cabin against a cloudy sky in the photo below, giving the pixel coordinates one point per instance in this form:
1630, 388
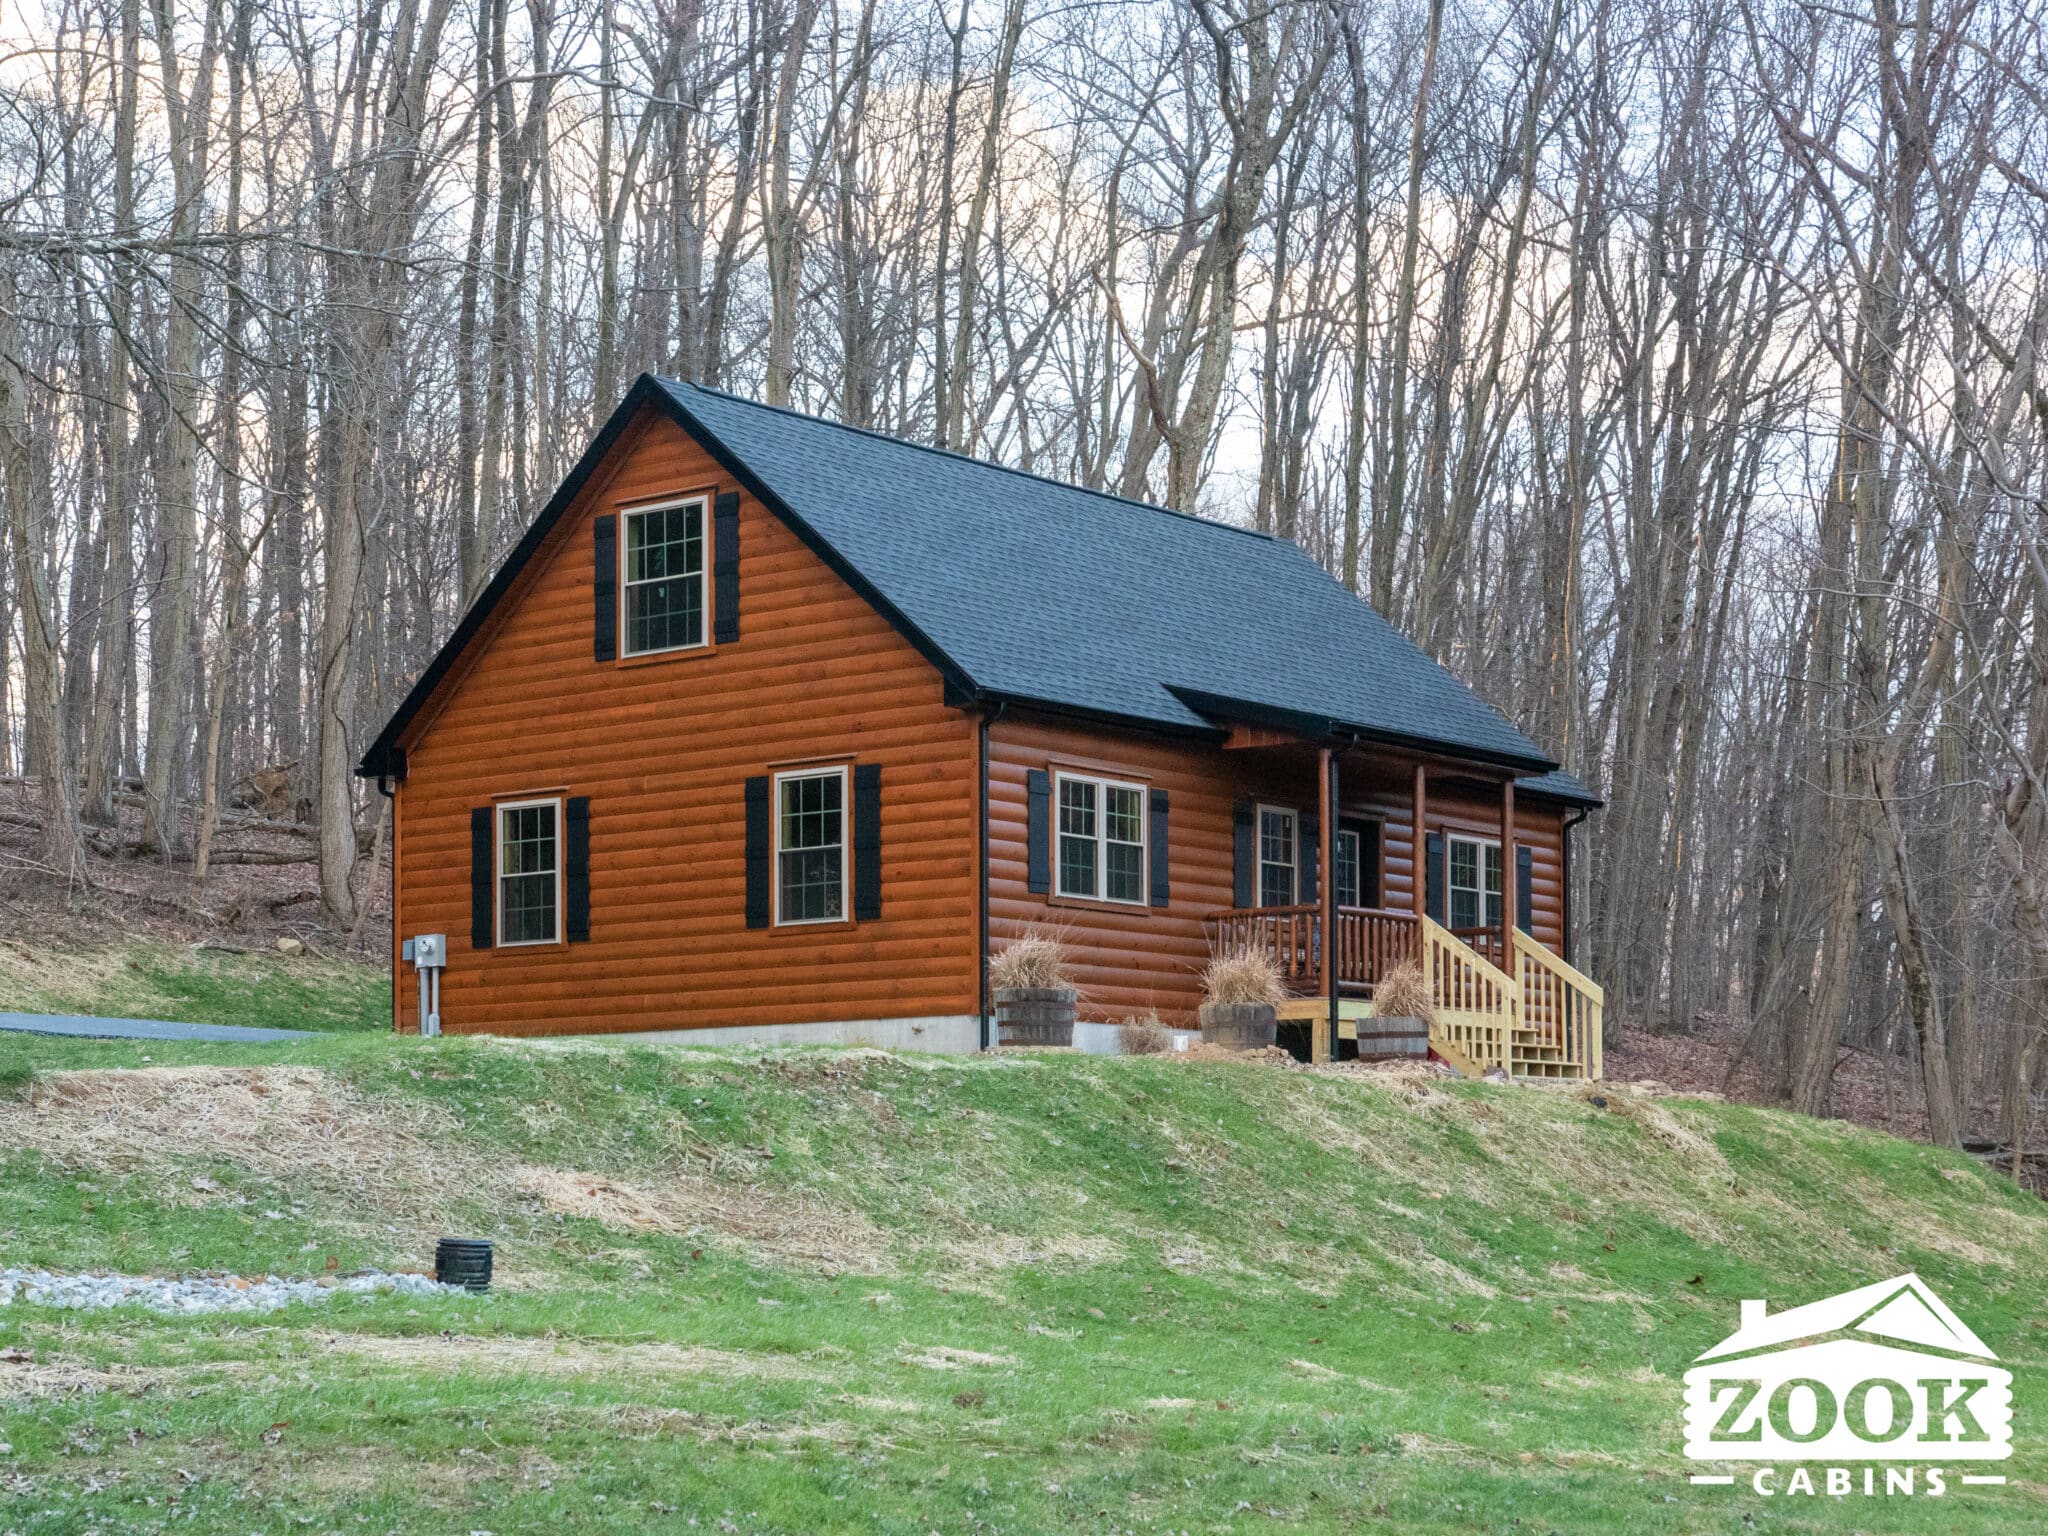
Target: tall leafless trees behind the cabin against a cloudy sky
1666, 368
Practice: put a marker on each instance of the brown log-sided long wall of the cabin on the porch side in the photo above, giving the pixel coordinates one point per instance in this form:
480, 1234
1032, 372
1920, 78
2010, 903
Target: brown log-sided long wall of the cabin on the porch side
1150, 959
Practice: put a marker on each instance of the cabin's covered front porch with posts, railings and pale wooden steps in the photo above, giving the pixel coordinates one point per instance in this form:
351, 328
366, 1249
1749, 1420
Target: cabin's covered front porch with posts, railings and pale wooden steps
1408, 882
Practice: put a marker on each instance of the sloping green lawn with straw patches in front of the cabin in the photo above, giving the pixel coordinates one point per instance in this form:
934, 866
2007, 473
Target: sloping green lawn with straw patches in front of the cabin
910, 1295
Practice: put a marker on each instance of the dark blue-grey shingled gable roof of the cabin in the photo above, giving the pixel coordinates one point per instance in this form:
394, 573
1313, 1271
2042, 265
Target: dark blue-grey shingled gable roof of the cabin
1046, 593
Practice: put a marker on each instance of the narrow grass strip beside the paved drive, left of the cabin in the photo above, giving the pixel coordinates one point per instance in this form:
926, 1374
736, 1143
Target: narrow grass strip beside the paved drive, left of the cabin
148, 980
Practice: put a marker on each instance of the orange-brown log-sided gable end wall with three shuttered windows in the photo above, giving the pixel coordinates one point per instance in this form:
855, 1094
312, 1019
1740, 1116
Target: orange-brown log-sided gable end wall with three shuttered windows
663, 746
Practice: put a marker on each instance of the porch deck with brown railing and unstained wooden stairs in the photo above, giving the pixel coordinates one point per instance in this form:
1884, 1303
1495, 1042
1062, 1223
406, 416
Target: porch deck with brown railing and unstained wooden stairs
1514, 1009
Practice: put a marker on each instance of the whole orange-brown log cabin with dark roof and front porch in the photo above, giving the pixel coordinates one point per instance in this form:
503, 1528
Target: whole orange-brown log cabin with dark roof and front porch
775, 728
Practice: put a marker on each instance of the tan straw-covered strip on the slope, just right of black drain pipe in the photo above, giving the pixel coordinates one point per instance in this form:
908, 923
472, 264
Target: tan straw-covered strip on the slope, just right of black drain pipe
771, 1222
